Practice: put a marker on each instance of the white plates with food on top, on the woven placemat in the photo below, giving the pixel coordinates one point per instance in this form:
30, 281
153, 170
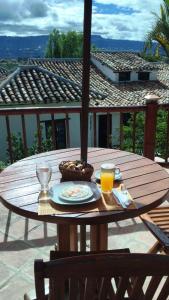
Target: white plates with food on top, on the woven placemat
74, 192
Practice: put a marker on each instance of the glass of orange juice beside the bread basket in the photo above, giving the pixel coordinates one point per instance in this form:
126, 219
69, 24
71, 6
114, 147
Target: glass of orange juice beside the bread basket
107, 177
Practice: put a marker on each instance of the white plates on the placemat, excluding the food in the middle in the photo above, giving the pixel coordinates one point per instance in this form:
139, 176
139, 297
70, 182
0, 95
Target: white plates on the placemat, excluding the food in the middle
57, 190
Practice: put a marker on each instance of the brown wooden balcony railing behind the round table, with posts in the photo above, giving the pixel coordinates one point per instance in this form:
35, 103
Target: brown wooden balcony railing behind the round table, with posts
150, 110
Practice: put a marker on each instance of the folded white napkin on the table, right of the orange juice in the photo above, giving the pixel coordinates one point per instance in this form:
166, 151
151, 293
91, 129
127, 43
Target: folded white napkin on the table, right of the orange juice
122, 197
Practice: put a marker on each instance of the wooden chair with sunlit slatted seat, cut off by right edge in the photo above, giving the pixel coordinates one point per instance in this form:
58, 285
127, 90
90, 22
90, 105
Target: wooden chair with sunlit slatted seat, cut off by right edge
157, 221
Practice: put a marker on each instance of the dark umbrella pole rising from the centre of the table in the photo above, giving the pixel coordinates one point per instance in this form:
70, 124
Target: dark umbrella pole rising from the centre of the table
85, 77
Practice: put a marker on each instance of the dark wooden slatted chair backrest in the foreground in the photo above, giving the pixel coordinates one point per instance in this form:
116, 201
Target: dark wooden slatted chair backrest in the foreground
105, 276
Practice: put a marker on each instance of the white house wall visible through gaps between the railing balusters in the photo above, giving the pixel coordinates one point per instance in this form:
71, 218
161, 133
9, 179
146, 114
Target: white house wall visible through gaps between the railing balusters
74, 126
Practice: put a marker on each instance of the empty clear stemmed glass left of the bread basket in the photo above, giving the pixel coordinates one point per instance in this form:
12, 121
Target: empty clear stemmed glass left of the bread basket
43, 173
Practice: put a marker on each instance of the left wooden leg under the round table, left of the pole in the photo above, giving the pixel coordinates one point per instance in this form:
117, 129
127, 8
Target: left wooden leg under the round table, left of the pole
67, 237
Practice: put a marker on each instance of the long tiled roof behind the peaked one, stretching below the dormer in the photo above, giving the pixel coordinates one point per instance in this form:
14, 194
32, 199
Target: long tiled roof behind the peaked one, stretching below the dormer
118, 94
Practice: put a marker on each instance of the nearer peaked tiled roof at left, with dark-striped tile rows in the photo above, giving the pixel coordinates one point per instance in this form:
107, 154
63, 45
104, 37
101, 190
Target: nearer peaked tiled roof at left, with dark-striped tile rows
33, 85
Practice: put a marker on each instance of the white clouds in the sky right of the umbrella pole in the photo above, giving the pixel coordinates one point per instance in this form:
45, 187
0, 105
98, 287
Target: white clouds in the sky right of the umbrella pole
119, 25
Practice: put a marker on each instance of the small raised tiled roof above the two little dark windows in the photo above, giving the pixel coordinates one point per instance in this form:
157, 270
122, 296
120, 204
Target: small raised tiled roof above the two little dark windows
124, 61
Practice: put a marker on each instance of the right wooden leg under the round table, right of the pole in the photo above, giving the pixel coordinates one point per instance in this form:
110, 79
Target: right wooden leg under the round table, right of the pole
99, 237
